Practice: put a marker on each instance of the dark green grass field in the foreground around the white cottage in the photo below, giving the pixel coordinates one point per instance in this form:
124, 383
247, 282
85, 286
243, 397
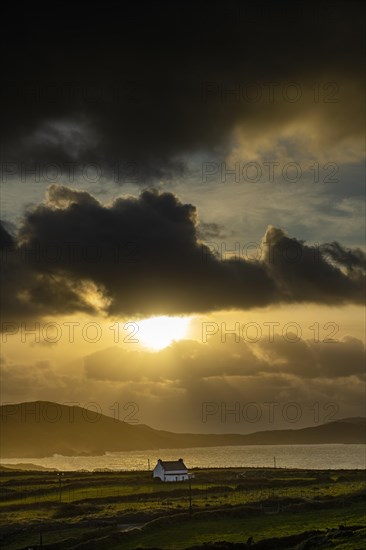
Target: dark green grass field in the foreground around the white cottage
80, 508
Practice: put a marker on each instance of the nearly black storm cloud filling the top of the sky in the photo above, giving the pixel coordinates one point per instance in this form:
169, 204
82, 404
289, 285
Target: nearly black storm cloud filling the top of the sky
138, 92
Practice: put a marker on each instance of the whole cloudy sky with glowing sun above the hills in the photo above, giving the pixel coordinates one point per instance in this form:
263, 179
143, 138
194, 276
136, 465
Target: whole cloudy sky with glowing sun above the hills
182, 212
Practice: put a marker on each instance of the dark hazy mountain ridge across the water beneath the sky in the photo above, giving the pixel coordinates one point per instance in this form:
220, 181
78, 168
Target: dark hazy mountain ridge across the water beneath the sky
30, 430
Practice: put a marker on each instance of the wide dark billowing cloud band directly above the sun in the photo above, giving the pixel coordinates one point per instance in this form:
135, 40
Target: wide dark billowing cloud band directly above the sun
142, 256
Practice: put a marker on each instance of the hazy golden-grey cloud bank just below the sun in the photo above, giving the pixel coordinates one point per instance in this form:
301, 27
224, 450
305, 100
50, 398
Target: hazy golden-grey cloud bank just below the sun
188, 362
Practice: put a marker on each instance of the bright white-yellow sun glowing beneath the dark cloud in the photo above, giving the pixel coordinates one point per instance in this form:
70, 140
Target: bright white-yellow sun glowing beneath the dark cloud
158, 332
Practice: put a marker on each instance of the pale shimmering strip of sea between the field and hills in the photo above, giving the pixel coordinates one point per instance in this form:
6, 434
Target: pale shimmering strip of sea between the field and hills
316, 457
